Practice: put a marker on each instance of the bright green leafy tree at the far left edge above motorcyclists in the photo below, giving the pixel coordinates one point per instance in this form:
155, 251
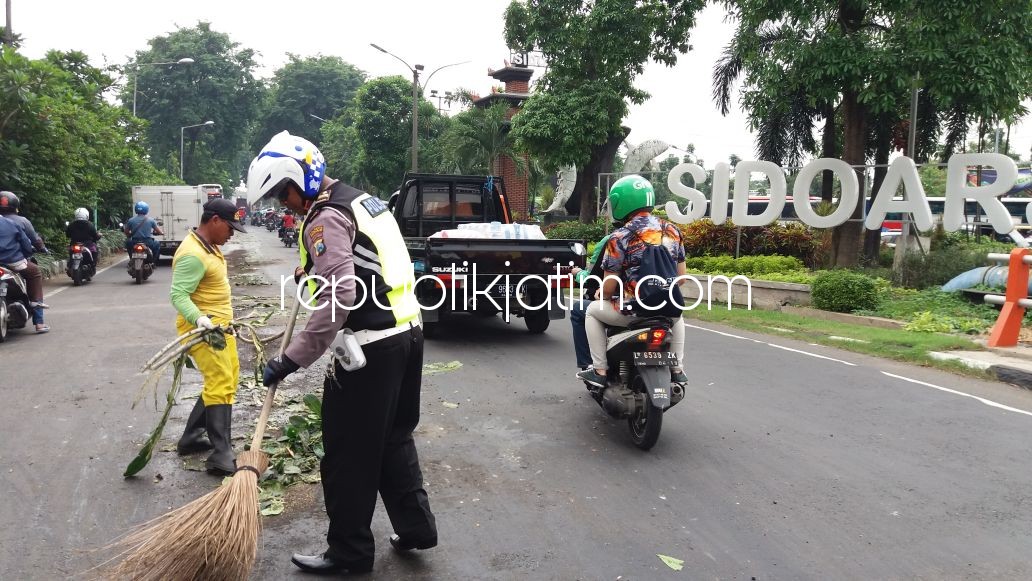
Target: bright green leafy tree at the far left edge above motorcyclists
62, 145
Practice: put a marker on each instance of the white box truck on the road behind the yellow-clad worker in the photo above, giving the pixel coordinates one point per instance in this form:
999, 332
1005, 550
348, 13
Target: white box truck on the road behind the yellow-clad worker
177, 209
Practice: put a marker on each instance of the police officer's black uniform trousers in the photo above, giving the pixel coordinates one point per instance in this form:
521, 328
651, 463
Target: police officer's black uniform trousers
369, 416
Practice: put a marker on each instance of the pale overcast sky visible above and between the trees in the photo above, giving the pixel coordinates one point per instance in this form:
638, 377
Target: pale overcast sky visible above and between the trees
432, 34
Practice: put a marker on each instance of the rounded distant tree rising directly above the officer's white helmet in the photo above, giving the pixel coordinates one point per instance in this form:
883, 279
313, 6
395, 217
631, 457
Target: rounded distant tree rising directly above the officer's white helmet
304, 93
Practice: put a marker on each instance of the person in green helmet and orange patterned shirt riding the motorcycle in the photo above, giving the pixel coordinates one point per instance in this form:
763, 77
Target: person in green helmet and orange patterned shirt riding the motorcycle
631, 200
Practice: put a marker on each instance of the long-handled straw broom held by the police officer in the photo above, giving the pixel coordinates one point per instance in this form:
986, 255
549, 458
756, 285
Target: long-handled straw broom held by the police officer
214, 538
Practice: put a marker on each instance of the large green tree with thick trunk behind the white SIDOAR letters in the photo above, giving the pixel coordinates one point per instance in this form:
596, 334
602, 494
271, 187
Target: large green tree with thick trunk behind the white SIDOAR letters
974, 59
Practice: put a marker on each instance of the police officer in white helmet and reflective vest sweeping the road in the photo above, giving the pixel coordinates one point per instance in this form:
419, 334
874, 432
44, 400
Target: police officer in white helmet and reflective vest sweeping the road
351, 240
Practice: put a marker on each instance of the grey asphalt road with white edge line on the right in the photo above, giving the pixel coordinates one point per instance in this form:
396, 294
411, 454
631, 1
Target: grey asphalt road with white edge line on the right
785, 461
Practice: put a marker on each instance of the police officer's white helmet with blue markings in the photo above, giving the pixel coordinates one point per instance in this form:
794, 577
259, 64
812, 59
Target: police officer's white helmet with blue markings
286, 158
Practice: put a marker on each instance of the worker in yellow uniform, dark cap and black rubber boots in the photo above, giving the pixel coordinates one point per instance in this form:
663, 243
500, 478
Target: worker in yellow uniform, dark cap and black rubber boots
202, 296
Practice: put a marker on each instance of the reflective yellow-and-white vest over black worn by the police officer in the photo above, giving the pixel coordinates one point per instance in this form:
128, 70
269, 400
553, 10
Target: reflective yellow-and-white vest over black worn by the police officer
380, 257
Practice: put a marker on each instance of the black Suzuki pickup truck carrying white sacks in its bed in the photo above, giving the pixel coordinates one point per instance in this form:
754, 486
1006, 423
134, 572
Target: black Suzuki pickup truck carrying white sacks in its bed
479, 276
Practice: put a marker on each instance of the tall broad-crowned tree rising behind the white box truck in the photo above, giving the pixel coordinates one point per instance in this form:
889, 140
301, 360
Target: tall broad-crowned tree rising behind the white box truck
219, 86
